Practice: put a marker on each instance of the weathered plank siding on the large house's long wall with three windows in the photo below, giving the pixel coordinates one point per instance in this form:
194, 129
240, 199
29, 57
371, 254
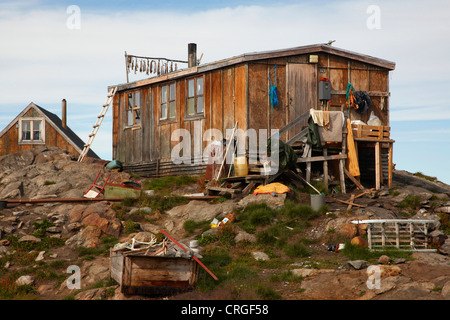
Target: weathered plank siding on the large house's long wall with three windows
147, 148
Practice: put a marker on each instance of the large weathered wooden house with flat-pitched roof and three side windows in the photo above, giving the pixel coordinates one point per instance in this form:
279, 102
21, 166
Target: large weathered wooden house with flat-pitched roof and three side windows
217, 95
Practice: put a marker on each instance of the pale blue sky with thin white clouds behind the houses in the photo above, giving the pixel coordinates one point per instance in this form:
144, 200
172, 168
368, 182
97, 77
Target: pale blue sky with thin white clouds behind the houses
43, 61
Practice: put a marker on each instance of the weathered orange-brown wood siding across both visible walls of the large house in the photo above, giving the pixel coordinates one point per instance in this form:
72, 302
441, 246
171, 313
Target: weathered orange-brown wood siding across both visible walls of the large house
240, 93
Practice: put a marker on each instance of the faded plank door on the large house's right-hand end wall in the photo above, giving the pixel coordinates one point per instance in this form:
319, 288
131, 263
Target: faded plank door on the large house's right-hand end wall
302, 93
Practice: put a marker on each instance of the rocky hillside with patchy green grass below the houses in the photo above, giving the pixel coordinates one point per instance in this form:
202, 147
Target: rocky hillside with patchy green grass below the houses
41, 241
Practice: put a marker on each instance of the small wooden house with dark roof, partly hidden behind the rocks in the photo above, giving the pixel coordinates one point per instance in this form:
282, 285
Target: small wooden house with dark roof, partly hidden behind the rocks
34, 127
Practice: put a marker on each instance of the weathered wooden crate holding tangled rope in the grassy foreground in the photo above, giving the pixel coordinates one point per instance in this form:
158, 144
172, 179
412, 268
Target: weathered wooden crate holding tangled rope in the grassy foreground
152, 275
